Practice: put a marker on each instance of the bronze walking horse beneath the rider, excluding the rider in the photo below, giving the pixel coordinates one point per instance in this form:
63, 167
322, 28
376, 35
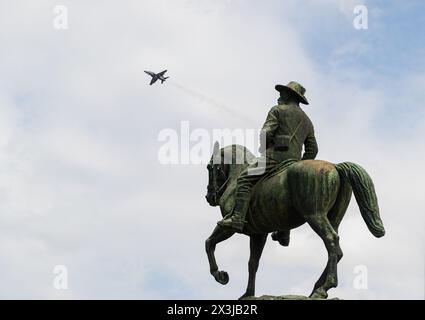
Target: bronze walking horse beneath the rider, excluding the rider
312, 191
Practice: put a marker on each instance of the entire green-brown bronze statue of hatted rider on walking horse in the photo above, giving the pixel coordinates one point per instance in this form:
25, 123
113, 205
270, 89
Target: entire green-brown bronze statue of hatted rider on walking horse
281, 190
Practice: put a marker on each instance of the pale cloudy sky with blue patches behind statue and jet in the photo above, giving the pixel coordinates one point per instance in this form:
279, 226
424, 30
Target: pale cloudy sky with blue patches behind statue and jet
81, 184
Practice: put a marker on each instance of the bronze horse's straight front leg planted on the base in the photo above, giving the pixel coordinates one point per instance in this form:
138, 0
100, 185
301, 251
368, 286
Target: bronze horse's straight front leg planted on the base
256, 245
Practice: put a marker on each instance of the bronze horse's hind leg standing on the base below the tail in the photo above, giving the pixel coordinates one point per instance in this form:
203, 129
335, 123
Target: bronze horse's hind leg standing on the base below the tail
321, 225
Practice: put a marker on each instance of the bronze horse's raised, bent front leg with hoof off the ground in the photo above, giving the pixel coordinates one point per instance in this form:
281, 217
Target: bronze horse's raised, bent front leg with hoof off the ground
219, 234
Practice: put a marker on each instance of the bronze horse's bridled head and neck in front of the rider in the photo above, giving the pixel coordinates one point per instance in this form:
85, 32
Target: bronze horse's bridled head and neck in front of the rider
225, 163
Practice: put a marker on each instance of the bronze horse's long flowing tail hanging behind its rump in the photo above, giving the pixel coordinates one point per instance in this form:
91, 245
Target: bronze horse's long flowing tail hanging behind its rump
365, 195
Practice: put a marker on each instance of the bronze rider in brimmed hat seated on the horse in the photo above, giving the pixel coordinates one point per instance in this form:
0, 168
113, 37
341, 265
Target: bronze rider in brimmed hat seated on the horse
286, 130
